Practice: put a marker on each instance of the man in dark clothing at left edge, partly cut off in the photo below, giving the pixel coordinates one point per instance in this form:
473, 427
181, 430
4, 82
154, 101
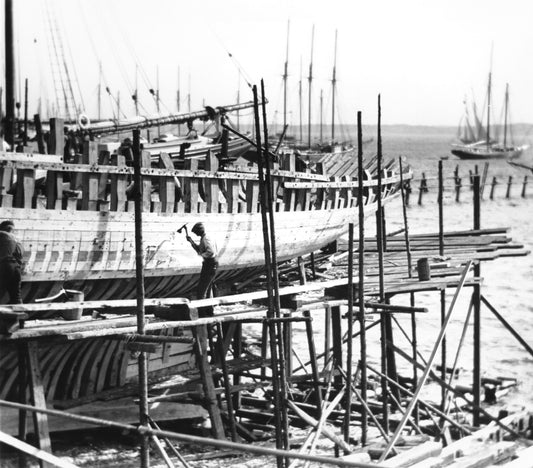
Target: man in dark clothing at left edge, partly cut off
10, 263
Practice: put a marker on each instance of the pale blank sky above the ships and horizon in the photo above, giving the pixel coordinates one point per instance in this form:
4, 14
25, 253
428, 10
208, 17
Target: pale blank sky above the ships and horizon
422, 56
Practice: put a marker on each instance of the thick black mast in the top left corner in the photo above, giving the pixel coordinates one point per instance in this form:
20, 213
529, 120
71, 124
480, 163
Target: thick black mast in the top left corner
10, 74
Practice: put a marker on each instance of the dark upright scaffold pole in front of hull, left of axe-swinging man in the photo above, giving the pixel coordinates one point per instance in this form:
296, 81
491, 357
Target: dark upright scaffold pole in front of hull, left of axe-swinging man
139, 265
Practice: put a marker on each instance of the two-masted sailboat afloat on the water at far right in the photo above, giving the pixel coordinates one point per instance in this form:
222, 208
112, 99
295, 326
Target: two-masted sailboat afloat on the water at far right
478, 142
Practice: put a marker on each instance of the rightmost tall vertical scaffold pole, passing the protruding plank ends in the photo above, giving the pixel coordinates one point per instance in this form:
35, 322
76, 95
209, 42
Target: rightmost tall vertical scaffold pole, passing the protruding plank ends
476, 384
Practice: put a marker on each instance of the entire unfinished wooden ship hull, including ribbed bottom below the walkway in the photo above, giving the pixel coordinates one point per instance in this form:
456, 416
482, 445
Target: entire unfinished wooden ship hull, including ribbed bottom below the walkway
77, 231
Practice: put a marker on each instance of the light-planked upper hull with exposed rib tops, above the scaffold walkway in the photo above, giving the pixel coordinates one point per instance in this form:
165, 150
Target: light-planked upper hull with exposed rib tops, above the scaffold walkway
77, 227
